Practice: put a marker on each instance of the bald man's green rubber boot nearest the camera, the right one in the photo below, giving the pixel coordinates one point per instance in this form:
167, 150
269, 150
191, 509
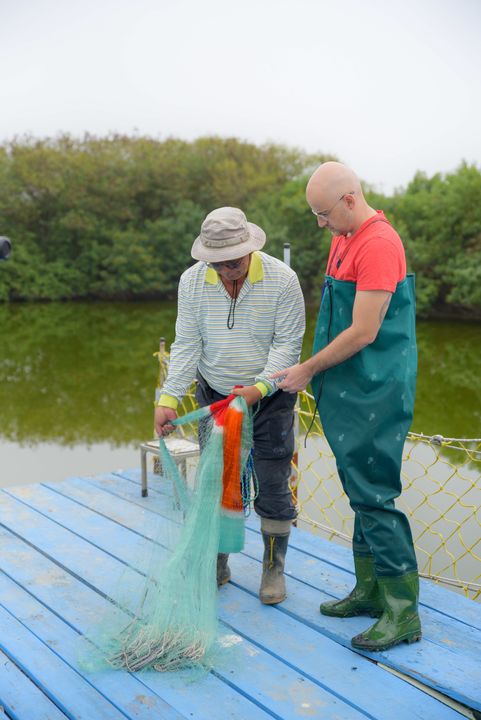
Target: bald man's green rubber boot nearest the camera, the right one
400, 620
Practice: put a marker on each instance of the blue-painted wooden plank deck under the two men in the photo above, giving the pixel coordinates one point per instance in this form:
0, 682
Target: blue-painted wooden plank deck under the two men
60, 544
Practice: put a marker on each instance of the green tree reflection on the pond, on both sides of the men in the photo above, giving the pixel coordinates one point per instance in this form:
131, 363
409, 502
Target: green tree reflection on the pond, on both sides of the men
75, 373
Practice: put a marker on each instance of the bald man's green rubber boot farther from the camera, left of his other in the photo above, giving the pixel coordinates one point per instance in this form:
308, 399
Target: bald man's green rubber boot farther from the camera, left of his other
364, 599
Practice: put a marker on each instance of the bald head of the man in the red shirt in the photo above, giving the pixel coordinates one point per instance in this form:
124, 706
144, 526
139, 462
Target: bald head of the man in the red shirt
335, 195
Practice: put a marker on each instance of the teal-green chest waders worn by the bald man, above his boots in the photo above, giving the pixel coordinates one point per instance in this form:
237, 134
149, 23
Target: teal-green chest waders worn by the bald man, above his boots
366, 408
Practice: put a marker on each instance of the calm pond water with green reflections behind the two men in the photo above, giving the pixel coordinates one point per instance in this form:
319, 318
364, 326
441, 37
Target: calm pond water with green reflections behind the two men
77, 383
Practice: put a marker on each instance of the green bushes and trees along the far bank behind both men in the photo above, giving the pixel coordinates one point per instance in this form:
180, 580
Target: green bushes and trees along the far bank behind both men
115, 217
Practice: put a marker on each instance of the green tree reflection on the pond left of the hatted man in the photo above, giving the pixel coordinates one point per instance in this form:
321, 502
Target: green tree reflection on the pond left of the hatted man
79, 373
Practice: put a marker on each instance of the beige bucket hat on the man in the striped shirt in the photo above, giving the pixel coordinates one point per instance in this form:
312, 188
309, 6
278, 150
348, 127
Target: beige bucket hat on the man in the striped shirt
225, 234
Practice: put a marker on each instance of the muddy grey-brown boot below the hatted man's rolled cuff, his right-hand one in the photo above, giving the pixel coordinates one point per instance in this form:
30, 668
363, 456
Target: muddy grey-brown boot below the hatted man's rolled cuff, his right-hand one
275, 534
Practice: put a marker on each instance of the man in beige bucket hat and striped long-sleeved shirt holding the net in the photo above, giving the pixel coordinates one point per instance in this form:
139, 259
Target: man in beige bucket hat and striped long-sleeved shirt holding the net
240, 319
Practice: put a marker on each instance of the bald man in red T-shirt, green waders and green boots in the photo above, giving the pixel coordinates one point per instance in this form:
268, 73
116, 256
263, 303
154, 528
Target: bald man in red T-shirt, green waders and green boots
363, 374
